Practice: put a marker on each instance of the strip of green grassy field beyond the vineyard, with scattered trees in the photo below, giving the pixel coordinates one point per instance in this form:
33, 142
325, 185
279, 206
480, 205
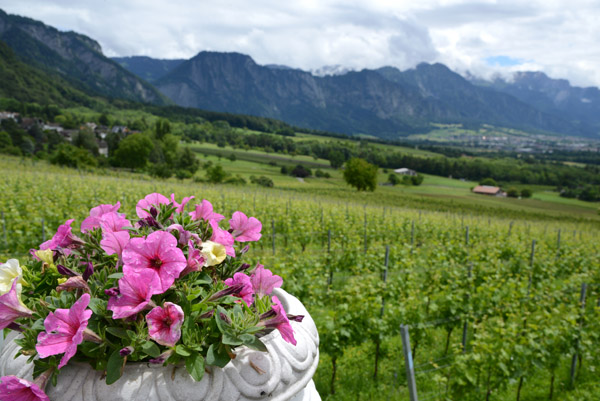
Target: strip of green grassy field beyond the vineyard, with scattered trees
438, 193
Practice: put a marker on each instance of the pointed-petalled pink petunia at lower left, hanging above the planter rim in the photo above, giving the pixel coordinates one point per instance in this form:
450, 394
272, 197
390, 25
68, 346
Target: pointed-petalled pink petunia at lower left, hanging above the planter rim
65, 330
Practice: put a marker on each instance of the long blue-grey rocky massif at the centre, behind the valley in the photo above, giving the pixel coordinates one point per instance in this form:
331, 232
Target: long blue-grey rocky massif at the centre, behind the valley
385, 102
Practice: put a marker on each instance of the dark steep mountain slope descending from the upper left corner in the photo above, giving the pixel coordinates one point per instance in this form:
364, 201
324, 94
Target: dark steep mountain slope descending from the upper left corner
76, 57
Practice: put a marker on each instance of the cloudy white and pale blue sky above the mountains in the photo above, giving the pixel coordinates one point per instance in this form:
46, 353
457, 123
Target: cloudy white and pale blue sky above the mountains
484, 37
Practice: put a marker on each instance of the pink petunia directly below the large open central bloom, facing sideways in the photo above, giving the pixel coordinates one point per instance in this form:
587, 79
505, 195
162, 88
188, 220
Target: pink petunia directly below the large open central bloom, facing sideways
135, 292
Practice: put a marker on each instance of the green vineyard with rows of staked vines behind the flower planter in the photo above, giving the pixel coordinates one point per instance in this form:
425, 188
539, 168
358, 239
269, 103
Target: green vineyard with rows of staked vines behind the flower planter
495, 308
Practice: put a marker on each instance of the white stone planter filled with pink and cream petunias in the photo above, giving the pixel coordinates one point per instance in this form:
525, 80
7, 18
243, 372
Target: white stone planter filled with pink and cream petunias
165, 307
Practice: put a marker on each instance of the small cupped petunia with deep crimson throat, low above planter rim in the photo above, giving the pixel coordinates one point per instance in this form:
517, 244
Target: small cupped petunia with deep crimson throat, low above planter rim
164, 324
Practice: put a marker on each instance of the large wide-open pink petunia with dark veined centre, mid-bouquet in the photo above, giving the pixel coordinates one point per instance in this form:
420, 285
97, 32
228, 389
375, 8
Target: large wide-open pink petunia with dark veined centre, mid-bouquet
159, 253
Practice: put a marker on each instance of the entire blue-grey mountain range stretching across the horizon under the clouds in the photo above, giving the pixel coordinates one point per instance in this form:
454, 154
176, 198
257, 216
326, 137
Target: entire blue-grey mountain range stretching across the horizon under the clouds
384, 102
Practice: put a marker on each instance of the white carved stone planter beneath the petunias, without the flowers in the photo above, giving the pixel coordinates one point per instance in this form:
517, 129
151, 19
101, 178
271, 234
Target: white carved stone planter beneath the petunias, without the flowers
284, 373
